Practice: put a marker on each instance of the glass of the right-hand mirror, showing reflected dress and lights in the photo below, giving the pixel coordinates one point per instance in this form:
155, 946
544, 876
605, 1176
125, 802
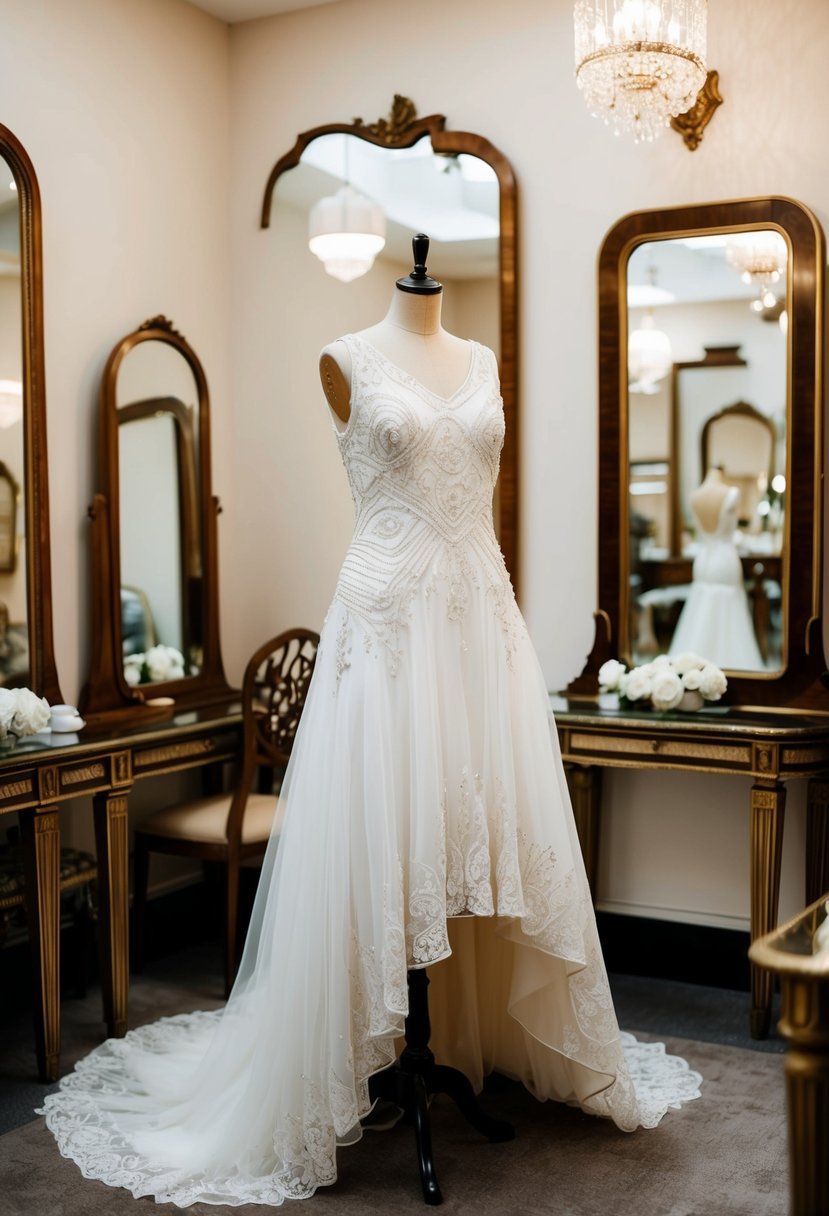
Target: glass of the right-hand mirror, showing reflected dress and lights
707, 408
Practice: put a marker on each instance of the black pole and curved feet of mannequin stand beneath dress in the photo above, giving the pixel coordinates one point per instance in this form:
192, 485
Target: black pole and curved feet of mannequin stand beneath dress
415, 1077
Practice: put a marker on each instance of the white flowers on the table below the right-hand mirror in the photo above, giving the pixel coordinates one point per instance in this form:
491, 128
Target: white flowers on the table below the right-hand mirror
683, 683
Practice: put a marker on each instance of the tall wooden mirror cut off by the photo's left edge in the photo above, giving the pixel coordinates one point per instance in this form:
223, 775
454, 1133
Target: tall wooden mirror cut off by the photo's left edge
27, 657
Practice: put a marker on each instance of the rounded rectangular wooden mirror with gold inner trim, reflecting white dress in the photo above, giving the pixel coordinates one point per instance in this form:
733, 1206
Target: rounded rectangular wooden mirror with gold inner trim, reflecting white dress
712, 329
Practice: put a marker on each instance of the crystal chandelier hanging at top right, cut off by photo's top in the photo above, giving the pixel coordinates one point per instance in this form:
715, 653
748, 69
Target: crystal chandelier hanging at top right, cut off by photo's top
641, 63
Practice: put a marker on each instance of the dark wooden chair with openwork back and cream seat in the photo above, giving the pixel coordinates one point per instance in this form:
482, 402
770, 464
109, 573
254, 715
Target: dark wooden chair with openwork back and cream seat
233, 827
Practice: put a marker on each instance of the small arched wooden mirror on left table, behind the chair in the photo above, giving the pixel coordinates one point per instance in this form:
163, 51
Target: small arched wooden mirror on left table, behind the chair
155, 542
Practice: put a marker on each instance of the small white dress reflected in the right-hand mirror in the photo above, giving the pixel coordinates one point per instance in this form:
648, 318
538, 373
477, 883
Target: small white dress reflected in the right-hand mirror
717, 622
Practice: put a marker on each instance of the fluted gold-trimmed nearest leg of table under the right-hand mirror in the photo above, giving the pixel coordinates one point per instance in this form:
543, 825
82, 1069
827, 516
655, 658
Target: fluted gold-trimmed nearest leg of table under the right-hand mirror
766, 849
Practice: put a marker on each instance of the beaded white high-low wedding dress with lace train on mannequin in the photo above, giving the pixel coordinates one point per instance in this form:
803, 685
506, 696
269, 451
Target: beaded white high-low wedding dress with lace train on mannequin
425, 784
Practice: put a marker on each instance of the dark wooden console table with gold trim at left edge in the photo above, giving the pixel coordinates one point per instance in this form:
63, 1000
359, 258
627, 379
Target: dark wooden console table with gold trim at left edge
40, 774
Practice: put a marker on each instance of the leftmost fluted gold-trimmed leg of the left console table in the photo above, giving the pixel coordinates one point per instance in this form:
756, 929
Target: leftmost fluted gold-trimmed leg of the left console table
42, 858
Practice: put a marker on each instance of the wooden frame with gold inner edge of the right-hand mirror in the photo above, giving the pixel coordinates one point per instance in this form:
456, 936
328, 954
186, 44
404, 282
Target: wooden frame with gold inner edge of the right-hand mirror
802, 683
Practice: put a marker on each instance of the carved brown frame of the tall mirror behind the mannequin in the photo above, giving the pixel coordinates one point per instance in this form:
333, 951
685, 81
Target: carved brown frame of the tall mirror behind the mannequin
402, 131
